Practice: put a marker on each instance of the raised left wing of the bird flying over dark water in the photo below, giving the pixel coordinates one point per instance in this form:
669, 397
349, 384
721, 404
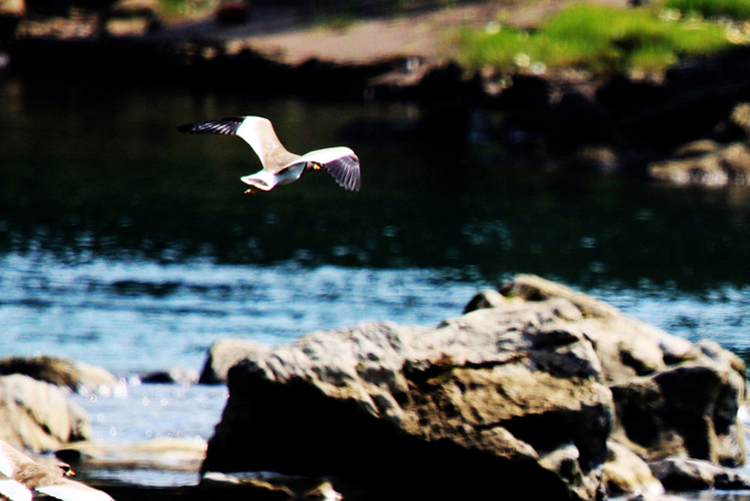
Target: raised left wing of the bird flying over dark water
256, 131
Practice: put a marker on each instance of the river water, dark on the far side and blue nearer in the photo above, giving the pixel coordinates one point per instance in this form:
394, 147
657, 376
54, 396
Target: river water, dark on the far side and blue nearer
129, 245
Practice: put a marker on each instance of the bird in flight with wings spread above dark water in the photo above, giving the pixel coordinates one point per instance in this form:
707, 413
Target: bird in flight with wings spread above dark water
279, 165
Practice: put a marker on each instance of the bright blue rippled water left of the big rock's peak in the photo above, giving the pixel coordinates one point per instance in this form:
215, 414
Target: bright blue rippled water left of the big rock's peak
140, 316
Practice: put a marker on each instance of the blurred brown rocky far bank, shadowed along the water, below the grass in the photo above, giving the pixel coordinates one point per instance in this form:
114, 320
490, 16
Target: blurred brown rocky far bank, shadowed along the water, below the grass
687, 126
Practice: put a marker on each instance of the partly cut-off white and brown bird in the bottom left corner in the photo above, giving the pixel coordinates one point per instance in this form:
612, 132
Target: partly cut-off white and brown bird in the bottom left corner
19, 475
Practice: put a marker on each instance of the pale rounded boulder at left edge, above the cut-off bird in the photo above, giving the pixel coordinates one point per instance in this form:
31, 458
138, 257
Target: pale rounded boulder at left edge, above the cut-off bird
37, 416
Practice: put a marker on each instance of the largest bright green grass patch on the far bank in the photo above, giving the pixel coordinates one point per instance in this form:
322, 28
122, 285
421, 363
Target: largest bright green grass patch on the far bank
600, 39
